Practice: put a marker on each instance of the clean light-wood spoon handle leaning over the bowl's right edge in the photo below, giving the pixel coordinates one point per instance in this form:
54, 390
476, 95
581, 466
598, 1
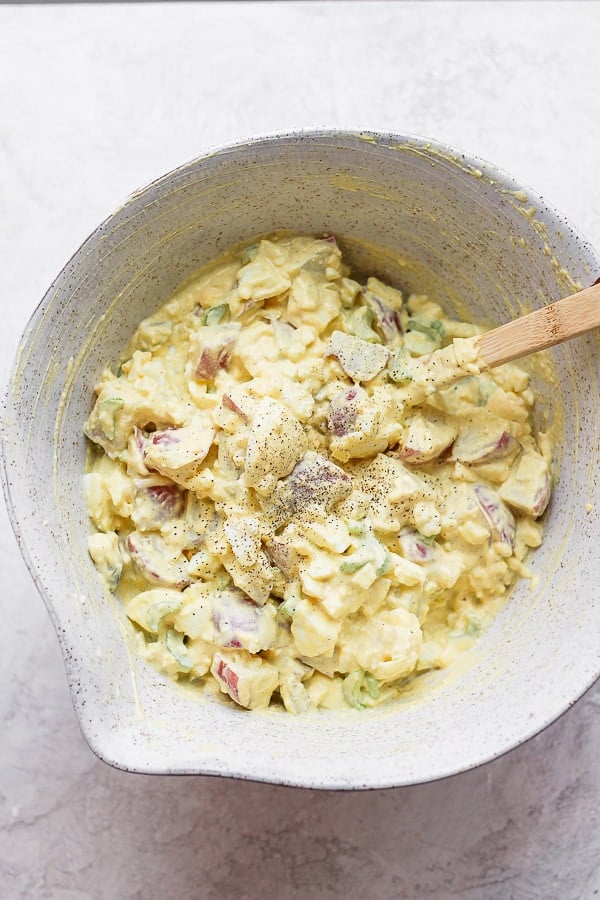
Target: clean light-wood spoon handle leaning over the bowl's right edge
542, 328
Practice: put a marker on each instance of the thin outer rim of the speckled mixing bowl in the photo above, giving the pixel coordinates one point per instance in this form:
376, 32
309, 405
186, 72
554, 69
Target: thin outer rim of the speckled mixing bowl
548, 214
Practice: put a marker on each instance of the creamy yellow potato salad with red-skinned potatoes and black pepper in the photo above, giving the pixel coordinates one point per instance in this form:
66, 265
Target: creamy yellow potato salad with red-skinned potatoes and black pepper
279, 510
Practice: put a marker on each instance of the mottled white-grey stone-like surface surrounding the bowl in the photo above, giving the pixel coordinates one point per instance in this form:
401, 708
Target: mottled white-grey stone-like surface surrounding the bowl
97, 100
